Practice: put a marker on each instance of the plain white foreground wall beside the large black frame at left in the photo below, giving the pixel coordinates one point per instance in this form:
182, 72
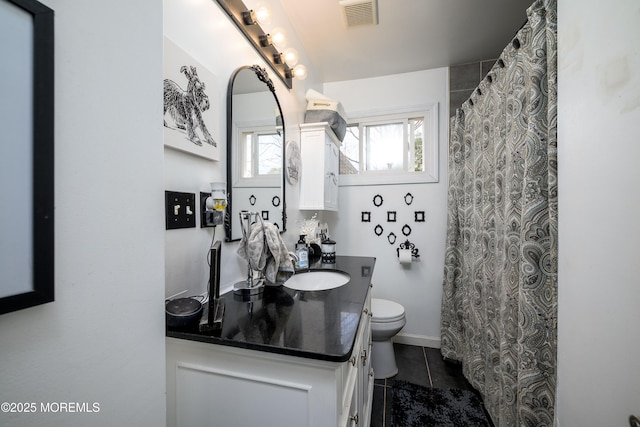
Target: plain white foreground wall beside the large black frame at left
102, 340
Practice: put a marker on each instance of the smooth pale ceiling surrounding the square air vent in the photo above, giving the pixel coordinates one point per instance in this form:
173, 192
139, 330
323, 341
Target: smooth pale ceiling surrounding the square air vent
411, 35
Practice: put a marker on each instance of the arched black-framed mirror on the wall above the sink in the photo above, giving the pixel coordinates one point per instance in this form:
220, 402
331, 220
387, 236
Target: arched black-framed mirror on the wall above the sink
255, 150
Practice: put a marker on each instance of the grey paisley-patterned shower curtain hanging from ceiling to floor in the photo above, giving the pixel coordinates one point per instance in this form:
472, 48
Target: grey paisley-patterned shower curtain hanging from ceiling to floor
499, 303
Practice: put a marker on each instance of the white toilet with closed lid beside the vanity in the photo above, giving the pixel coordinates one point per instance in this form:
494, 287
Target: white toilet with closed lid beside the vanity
388, 318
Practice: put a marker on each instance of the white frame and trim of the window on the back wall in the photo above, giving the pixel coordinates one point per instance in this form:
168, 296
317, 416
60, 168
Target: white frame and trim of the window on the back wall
430, 147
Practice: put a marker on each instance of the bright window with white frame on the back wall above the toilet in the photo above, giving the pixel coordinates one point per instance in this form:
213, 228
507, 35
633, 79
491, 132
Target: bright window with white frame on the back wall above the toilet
391, 149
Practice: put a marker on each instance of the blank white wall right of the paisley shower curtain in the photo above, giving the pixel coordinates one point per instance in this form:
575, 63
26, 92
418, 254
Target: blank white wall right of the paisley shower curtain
598, 127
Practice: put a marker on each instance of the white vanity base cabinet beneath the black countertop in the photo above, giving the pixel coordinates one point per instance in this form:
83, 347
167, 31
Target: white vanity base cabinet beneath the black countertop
217, 385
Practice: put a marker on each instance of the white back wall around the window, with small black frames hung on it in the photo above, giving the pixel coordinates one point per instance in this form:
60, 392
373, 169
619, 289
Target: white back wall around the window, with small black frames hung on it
417, 287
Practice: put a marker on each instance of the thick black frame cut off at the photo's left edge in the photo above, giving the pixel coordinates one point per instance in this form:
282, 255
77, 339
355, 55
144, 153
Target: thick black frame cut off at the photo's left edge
41, 290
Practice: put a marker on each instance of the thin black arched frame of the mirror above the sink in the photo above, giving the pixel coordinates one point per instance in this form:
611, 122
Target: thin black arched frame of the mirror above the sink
262, 75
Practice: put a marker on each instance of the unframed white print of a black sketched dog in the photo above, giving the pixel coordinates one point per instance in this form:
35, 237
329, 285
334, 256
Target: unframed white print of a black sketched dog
191, 104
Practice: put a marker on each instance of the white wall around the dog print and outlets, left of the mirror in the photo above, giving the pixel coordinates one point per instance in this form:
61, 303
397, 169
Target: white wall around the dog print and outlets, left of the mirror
204, 32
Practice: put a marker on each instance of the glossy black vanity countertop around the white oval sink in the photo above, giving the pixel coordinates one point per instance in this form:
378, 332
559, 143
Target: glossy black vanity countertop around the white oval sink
312, 324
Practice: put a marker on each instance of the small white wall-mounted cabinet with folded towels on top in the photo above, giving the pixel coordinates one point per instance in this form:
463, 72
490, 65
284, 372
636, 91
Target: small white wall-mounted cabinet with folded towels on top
319, 150
